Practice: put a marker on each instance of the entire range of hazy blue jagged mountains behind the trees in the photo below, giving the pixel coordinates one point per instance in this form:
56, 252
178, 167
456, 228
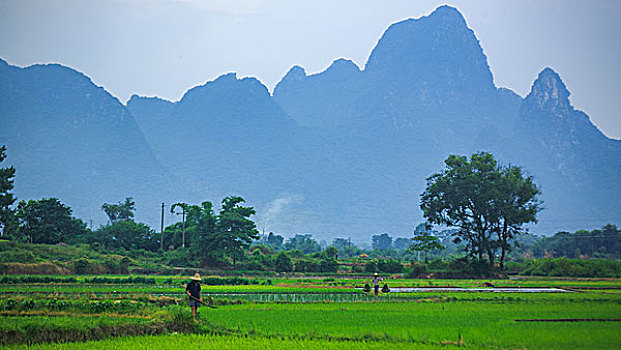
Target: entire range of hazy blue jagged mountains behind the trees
341, 153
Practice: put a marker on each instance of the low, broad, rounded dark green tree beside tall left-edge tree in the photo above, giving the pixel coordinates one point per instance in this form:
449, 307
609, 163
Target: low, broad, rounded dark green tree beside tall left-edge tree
47, 221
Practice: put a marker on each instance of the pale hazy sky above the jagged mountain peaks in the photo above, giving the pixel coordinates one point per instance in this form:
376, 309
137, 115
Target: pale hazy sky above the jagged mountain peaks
165, 47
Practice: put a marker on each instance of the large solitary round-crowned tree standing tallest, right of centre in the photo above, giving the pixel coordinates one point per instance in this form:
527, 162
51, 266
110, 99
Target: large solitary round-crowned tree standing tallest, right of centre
488, 204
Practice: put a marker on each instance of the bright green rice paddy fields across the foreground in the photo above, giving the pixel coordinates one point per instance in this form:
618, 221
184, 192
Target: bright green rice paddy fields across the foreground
328, 313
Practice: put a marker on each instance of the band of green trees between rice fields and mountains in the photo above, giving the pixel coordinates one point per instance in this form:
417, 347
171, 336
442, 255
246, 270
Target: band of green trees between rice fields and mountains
480, 206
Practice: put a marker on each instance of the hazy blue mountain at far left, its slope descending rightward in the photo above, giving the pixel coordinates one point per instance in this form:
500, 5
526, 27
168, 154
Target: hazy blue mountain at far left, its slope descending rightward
73, 140
